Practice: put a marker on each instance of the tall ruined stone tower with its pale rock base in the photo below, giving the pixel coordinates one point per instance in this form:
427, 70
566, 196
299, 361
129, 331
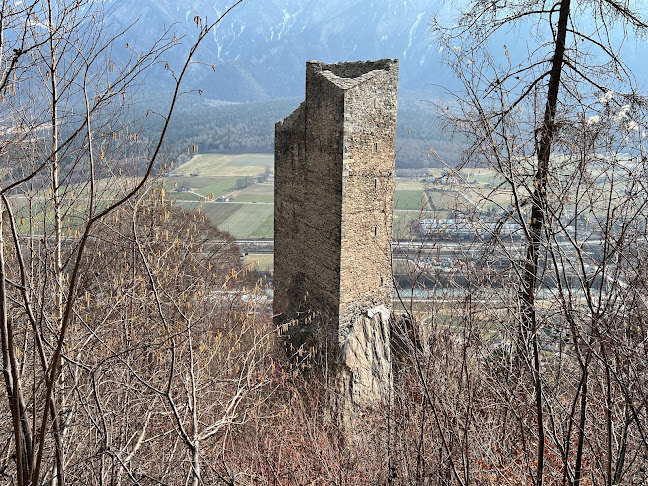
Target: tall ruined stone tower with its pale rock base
334, 187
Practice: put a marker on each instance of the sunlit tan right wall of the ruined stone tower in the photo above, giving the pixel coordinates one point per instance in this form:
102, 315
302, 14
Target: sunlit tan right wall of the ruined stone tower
368, 188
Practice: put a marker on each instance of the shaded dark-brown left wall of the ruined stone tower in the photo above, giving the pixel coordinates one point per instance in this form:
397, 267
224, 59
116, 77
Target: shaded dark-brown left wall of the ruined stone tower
308, 195
